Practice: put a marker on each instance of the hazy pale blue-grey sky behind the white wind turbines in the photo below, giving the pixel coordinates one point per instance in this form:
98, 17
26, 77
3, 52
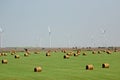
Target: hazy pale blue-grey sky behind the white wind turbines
80, 23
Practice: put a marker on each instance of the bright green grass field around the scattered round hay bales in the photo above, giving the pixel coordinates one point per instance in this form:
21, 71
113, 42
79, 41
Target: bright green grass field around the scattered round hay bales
55, 67
